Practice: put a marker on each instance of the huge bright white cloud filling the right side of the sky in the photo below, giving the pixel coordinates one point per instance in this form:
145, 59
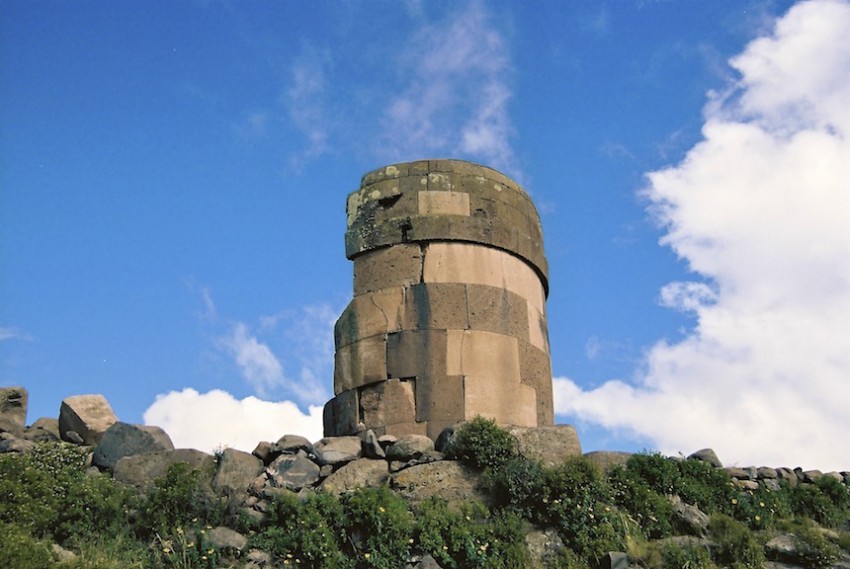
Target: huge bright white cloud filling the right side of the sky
760, 210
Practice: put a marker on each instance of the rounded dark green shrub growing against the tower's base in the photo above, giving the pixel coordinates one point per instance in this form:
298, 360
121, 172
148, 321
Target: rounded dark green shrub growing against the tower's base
480, 443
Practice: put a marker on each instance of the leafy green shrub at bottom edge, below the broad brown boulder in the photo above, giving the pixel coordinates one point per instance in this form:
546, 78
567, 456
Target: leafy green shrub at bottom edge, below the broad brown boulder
471, 538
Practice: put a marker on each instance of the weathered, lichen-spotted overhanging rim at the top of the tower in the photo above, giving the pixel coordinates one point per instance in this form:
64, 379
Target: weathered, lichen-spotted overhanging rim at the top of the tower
444, 200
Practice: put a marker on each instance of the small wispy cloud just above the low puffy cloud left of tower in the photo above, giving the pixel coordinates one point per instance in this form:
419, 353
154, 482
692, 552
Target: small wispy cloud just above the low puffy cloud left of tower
255, 360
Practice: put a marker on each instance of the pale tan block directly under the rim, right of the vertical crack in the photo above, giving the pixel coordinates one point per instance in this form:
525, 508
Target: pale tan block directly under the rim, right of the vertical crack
462, 263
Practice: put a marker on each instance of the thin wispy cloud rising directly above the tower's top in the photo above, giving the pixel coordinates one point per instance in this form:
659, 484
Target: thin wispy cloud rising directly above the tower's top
455, 93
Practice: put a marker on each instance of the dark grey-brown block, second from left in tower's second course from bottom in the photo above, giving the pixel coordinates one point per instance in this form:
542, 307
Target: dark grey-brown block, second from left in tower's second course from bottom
413, 353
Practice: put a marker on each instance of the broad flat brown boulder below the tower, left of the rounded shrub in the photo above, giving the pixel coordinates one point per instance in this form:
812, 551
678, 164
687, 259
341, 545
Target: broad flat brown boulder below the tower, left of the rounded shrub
446, 479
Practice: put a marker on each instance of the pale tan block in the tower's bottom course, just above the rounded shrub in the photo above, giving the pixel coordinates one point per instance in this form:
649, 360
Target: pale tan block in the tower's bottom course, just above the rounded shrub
507, 402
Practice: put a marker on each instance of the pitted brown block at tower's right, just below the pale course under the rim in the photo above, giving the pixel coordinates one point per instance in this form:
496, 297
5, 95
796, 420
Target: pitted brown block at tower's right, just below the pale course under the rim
497, 310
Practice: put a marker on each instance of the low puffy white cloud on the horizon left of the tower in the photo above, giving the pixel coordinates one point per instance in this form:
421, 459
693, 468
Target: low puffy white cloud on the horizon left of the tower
207, 421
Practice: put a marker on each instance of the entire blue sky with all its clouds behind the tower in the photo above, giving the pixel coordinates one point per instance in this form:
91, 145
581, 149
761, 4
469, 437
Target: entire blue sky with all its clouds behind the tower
173, 178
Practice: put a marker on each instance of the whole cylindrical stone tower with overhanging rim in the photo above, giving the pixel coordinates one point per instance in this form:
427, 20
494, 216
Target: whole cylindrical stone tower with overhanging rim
448, 319
